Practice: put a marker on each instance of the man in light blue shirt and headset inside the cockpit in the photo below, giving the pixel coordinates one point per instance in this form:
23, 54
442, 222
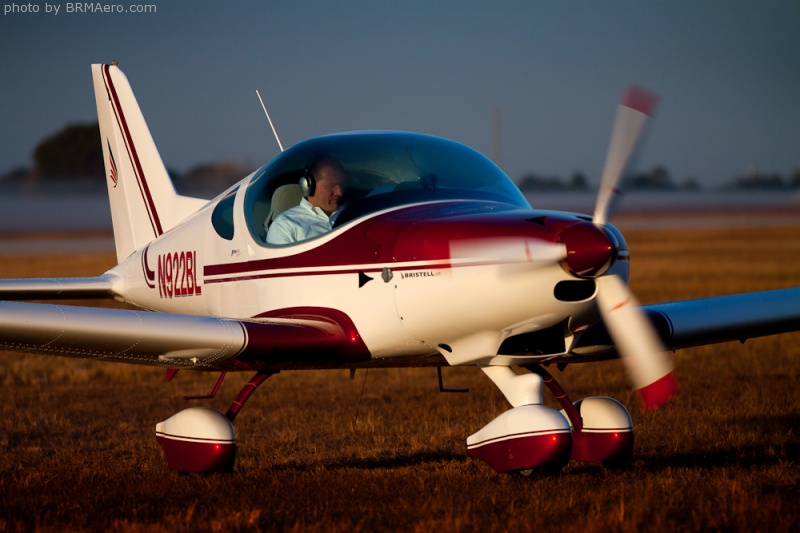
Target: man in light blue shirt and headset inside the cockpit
323, 184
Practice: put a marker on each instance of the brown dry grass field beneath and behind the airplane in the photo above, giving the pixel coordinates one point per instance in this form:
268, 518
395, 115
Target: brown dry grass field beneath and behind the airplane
79, 451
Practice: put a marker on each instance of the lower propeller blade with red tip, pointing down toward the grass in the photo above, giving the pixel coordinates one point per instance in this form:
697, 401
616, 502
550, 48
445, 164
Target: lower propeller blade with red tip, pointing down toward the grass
649, 365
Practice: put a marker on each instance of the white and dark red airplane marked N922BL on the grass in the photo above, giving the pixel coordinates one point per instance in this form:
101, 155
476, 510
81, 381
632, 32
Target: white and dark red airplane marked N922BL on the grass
436, 259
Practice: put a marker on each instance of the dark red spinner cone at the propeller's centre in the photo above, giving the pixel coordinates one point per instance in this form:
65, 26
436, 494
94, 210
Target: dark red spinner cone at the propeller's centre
590, 250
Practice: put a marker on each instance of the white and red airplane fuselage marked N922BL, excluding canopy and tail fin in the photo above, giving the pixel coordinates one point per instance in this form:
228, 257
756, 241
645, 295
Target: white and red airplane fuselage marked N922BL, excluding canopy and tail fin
399, 275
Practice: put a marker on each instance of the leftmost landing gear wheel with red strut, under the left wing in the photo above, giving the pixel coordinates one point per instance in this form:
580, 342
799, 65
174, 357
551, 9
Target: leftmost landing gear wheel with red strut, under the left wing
202, 440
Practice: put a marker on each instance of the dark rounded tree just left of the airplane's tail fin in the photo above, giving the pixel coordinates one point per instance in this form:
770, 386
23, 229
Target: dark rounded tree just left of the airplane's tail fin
75, 151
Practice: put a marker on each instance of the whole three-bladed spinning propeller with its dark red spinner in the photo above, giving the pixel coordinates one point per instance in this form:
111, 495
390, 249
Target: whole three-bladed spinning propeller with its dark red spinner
586, 250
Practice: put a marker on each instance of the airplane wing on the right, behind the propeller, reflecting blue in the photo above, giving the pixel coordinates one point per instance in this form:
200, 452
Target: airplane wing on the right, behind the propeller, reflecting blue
688, 323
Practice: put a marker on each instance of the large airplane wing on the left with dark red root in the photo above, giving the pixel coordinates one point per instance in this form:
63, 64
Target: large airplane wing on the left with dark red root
177, 341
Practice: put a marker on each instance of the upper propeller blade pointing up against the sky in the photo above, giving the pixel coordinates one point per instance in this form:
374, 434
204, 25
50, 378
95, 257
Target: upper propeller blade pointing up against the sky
636, 106
